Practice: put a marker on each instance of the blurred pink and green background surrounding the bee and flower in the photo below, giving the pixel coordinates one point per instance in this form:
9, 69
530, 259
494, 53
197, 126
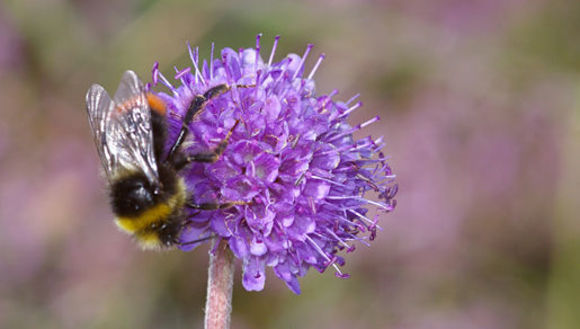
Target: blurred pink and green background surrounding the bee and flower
480, 108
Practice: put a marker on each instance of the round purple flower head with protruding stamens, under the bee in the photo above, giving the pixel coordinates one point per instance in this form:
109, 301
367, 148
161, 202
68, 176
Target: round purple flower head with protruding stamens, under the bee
292, 158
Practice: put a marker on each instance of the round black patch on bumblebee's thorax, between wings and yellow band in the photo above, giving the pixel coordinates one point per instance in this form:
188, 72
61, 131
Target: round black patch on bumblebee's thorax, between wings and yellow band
132, 195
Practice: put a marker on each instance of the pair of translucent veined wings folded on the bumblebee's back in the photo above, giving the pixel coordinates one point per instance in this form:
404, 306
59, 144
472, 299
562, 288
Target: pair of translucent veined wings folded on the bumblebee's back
122, 128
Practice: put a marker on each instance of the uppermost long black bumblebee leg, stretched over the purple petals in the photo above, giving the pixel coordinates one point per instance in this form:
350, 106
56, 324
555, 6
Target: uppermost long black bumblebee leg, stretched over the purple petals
197, 105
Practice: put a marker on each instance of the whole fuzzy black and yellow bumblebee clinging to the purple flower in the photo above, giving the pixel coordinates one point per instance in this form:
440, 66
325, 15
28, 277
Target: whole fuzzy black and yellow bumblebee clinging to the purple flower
147, 195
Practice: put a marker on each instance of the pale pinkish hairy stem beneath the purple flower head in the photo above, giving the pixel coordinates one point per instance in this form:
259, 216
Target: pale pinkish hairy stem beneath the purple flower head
219, 286
